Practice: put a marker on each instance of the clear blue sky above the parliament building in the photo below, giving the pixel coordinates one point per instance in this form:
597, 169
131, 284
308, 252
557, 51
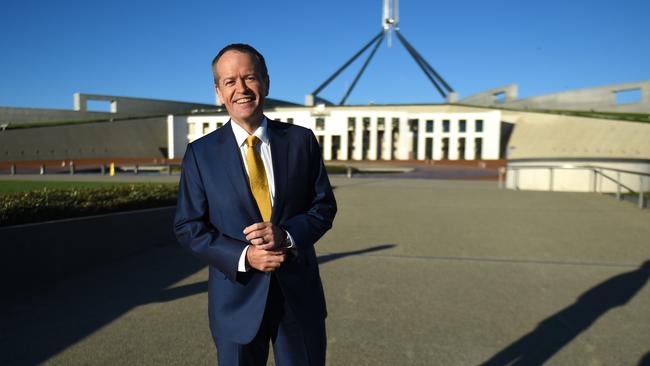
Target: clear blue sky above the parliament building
162, 49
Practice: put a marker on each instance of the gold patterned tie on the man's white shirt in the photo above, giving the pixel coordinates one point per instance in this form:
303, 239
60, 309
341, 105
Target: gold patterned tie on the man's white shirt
257, 178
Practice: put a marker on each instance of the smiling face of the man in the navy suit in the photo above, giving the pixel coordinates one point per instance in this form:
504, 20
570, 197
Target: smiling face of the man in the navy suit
241, 86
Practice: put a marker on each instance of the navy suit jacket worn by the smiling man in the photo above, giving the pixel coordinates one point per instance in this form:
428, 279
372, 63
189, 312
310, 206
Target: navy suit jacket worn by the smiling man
215, 204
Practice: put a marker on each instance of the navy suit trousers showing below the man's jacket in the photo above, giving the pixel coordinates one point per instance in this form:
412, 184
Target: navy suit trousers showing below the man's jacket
292, 346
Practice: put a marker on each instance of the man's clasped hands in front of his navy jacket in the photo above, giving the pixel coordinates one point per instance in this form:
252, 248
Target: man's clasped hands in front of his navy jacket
265, 252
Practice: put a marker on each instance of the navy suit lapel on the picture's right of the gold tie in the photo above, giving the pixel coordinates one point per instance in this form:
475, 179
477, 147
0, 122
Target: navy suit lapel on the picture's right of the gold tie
279, 155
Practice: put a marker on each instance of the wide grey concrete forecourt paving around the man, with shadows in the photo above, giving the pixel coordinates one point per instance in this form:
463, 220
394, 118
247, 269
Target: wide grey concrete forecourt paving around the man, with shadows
416, 272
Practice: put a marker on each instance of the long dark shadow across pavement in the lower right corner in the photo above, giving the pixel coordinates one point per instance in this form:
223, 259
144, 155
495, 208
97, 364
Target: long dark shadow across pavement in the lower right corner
558, 330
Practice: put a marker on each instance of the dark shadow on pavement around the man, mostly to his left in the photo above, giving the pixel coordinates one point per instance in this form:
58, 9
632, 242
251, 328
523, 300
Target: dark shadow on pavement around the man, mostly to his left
37, 324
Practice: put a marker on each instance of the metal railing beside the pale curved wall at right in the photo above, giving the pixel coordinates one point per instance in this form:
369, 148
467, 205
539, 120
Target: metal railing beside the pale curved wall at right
596, 171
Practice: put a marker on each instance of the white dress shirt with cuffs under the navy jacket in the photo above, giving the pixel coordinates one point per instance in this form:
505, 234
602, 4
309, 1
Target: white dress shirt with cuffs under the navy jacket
264, 150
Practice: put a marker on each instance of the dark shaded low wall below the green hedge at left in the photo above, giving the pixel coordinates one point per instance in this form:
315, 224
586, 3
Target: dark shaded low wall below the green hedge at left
35, 254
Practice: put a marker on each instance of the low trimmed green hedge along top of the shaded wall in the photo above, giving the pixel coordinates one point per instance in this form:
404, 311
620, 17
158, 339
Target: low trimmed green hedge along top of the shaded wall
54, 204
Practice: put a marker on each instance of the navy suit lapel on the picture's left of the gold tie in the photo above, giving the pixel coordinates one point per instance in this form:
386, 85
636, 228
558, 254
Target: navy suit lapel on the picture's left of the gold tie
230, 154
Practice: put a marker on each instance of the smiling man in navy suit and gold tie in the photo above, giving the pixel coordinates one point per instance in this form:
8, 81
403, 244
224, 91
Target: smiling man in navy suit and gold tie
254, 198
